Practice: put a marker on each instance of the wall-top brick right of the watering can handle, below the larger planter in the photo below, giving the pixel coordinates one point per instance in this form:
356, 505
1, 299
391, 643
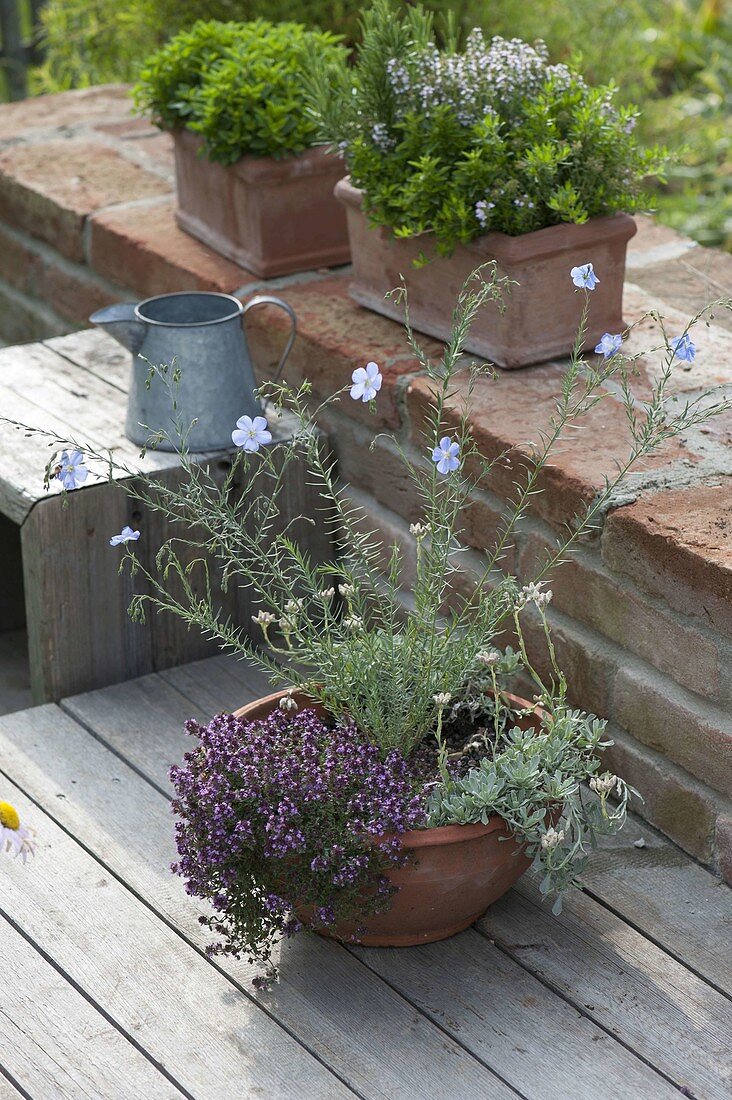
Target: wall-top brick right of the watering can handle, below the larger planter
335, 337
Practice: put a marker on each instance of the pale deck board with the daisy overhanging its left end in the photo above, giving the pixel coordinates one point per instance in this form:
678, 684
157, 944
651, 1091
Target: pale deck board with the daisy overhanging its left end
210, 1037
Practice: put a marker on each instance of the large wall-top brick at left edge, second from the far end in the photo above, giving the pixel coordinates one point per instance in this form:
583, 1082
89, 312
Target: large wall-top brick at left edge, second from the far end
50, 189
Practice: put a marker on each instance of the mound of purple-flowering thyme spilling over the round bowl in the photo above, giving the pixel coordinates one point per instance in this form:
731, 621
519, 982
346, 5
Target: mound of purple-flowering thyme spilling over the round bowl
290, 822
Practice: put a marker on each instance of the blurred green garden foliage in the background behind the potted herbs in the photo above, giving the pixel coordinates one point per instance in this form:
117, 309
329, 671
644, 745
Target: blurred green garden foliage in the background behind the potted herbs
674, 58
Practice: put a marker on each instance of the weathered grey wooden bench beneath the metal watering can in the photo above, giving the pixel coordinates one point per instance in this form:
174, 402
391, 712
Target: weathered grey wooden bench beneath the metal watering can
60, 576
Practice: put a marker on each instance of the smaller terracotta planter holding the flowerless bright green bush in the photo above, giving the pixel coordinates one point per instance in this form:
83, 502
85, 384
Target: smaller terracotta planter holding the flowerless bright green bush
272, 217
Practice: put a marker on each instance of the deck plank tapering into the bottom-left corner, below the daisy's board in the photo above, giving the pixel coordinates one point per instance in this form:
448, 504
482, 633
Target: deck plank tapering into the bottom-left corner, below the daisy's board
57, 1044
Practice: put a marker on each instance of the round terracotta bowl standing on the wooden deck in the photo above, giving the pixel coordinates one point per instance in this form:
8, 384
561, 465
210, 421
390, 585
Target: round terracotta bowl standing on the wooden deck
457, 873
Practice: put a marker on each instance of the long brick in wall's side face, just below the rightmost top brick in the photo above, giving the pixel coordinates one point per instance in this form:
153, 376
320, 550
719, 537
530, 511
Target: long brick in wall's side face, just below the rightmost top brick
627, 618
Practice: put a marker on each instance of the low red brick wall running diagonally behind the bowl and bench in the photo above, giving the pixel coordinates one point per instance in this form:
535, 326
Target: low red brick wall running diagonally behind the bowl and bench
643, 612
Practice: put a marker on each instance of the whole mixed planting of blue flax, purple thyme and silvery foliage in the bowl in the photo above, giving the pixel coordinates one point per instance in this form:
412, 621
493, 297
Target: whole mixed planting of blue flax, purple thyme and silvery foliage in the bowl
296, 820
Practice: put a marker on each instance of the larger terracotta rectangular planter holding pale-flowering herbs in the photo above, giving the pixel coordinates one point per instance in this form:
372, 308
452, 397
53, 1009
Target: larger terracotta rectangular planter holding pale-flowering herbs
542, 313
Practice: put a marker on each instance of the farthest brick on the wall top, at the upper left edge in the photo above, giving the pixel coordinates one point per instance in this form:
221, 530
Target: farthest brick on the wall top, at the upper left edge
68, 109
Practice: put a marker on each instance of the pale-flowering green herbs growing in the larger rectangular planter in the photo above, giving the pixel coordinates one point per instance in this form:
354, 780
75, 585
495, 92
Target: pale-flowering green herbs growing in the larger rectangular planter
458, 144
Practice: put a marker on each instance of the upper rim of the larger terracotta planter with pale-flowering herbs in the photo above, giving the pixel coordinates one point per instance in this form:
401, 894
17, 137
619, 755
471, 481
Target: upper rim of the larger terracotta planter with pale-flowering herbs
539, 243
